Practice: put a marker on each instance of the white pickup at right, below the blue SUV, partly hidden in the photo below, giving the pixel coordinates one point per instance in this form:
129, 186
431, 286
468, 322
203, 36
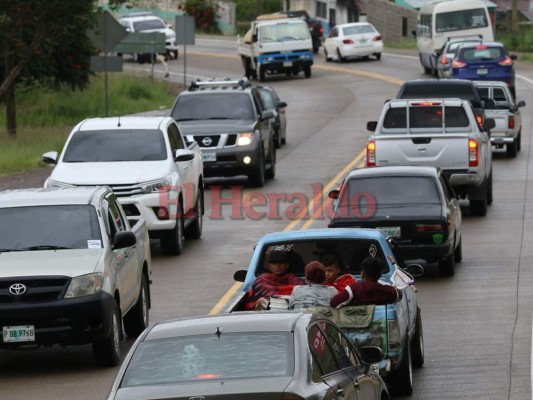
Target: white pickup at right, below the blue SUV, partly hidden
501, 106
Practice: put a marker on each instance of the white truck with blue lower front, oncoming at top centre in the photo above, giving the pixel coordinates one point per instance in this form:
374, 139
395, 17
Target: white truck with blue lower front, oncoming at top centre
276, 44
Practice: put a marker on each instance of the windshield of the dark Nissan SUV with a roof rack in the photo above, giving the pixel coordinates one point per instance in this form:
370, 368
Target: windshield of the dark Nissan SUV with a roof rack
214, 106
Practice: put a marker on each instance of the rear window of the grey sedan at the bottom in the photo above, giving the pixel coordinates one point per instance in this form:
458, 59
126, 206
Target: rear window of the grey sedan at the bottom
208, 357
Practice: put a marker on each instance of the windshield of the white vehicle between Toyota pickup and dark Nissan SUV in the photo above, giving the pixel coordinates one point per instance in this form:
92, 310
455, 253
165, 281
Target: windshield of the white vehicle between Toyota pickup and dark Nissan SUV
116, 145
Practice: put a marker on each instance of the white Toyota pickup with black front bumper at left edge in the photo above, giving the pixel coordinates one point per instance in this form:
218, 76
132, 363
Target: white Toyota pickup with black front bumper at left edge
72, 272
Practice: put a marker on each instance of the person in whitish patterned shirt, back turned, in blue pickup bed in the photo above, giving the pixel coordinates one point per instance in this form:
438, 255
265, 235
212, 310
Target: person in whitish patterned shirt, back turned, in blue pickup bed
315, 293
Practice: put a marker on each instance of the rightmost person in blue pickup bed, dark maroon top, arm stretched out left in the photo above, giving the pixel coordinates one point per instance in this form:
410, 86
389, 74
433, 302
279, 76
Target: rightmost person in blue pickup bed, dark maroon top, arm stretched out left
370, 290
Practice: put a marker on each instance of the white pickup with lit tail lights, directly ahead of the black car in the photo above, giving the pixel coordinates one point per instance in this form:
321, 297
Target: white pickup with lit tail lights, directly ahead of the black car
440, 133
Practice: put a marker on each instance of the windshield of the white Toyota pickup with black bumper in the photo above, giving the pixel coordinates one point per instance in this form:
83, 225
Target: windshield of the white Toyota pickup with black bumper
48, 227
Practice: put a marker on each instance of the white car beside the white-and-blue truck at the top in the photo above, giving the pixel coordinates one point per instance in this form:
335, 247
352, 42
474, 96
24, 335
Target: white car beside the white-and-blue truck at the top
357, 39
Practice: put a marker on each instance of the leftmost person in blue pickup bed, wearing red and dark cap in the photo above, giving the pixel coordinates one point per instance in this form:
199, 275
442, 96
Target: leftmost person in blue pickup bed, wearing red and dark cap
278, 281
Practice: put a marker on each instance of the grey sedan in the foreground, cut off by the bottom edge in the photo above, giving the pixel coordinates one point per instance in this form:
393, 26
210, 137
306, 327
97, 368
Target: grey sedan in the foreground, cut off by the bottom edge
267, 355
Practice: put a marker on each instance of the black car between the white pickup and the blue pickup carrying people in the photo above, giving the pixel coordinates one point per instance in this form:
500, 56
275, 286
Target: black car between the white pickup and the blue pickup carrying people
414, 206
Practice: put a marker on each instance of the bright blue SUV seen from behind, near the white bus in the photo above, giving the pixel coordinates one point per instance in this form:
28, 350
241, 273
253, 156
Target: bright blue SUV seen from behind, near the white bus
486, 61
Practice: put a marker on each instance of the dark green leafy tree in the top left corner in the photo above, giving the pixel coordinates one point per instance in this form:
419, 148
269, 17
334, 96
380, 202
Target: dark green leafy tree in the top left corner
46, 43
